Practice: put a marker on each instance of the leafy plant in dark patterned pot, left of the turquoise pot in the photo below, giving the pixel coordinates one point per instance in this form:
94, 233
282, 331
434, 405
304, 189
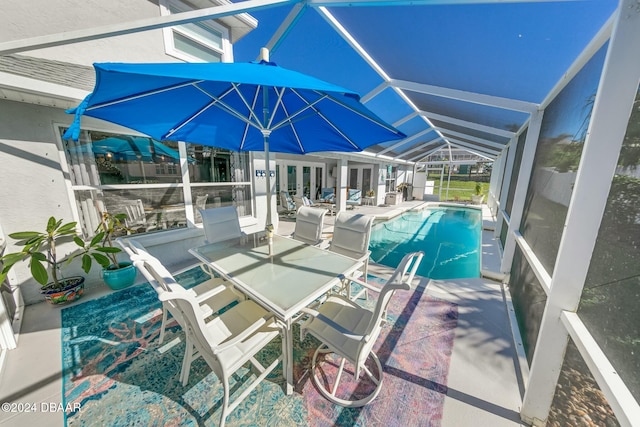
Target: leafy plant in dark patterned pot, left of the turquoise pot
40, 249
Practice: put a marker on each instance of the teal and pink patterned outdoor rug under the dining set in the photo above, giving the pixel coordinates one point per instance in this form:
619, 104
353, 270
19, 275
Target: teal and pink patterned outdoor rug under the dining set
114, 367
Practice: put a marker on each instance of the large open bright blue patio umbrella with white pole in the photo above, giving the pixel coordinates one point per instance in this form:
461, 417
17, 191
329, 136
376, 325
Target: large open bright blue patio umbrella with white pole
239, 106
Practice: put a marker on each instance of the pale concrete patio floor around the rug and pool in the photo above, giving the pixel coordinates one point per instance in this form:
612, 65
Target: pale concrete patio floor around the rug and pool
484, 385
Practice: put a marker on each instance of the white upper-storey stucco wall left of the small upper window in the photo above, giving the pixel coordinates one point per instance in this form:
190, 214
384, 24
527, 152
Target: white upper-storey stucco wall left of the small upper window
26, 19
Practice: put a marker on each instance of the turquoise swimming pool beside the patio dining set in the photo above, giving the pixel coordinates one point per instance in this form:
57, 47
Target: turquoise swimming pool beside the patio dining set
448, 236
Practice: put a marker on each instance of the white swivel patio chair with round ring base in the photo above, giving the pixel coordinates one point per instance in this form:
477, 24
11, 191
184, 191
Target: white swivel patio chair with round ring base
350, 331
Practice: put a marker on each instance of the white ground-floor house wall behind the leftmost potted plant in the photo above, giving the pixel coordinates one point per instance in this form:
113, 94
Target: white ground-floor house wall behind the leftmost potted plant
33, 184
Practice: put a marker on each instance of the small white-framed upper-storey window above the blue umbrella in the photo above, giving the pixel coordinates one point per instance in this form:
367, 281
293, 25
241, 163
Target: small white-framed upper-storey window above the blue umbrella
205, 41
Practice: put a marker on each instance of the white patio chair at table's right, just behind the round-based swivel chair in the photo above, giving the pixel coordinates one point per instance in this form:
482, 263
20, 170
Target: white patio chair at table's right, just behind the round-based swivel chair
351, 235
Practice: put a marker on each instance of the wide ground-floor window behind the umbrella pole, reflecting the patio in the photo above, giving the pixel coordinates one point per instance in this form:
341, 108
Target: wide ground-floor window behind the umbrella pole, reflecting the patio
142, 177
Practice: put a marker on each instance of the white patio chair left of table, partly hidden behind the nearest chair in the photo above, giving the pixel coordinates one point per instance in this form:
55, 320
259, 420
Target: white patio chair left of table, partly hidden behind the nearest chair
212, 295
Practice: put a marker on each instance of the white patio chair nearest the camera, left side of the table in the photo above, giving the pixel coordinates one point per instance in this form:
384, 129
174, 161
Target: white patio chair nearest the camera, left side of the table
229, 341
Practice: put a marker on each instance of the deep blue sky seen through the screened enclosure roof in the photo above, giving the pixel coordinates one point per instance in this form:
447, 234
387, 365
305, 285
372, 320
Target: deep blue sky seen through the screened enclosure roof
510, 50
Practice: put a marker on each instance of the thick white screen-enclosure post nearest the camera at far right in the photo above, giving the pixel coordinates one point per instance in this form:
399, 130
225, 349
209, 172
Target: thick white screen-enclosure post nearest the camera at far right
611, 111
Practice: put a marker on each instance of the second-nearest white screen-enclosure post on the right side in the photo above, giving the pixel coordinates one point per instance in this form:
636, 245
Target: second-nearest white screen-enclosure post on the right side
524, 175
